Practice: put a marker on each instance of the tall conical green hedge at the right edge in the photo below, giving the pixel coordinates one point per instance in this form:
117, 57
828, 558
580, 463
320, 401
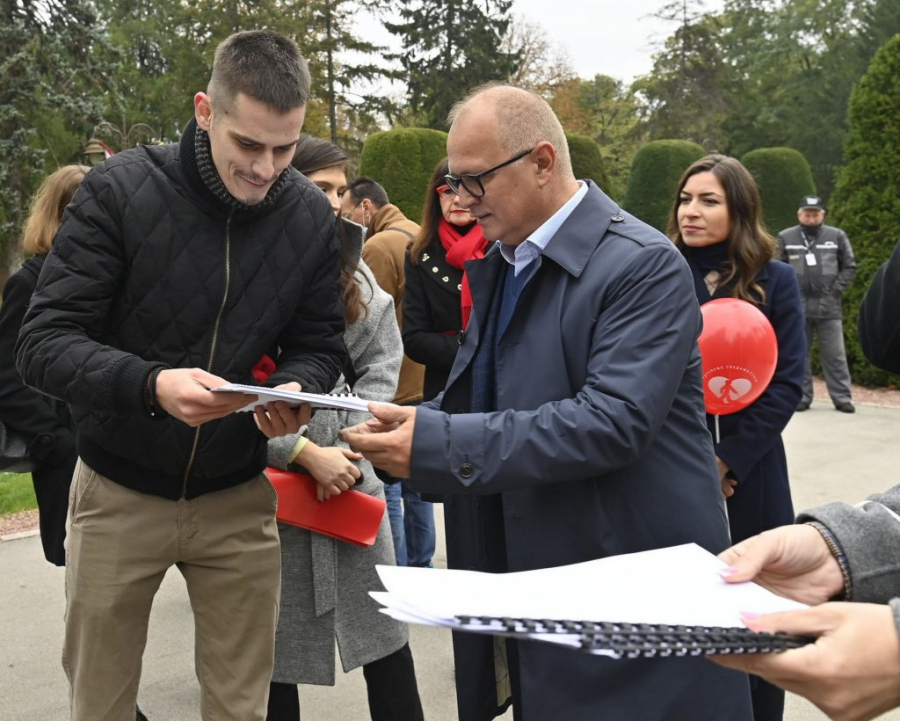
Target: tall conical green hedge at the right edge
866, 201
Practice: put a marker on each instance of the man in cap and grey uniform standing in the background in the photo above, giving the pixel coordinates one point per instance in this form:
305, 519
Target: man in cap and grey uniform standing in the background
823, 260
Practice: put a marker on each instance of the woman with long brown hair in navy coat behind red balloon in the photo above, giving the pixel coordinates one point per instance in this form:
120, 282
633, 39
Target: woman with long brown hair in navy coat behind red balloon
716, 222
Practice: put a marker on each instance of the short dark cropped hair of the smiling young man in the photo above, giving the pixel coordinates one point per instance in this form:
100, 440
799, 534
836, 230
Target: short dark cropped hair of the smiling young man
264, 66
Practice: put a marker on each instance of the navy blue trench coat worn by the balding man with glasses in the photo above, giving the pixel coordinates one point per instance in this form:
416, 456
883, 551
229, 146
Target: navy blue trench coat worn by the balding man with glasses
599, 448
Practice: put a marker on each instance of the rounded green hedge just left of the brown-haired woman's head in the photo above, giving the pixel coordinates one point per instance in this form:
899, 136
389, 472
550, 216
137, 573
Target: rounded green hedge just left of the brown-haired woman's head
655, 171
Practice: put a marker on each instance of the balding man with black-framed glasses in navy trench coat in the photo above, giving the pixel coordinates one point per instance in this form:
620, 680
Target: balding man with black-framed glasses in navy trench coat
572, 425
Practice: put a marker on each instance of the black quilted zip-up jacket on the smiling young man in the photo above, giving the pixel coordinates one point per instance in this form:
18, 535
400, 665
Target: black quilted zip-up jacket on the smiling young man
149, 269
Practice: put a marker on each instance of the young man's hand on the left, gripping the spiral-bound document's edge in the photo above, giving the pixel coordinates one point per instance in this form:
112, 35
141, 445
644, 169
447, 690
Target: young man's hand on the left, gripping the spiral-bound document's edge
183, 393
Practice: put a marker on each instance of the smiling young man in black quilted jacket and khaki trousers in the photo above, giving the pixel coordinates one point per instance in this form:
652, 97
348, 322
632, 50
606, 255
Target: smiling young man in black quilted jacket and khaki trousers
175, 269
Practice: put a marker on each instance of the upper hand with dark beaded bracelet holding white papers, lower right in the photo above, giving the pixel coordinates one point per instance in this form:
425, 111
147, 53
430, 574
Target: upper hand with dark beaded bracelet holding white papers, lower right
792, 561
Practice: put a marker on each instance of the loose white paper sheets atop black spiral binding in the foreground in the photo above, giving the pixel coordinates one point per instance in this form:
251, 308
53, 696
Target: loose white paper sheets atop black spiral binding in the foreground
678, 586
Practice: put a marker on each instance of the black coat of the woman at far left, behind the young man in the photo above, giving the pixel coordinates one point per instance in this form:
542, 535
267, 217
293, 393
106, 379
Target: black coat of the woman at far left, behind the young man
44, 422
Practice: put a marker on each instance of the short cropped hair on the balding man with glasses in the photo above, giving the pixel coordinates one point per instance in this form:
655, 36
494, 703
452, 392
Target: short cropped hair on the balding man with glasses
524, 119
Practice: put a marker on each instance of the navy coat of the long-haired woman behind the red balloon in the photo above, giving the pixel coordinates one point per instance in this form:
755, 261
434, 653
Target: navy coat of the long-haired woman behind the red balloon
750, 440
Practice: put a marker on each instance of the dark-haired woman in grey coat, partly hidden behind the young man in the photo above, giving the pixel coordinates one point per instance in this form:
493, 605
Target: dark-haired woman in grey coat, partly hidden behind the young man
325, 582
